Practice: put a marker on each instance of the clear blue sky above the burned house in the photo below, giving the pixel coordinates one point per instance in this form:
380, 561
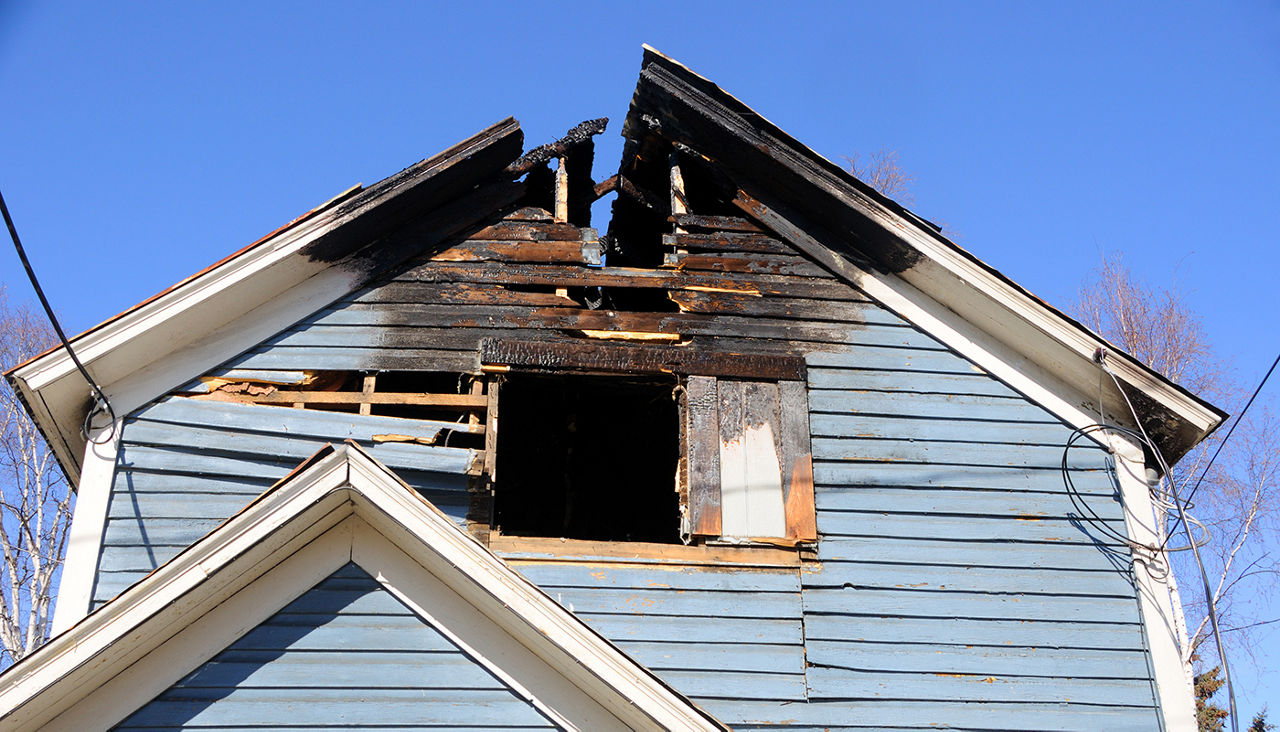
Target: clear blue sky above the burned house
140, 143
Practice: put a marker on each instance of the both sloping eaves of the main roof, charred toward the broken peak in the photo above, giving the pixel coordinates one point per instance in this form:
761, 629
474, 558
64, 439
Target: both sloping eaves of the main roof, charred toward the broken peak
810, 203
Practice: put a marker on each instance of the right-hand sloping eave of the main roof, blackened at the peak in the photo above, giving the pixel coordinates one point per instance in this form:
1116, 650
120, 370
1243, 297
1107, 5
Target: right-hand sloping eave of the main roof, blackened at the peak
854, 231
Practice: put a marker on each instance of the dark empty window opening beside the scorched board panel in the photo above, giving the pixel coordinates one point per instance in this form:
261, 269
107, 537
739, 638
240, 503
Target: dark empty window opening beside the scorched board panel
588, 457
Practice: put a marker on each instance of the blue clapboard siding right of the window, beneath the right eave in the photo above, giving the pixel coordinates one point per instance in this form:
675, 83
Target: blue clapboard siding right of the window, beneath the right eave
958, 583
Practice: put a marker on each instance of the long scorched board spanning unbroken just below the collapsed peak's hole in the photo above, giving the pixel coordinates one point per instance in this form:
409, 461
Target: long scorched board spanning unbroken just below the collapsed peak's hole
561, 276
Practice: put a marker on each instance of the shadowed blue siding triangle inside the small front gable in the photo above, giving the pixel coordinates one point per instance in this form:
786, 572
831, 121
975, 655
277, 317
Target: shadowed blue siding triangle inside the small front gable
345, 655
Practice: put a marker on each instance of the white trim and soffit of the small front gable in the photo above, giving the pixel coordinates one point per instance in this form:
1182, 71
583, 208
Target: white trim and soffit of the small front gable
341, 506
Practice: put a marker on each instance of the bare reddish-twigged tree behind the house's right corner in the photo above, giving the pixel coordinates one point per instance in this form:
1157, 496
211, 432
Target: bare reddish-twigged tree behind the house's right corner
1238, 497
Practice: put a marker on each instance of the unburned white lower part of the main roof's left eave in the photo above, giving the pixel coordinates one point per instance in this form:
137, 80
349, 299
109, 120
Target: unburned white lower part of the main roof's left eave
196, 326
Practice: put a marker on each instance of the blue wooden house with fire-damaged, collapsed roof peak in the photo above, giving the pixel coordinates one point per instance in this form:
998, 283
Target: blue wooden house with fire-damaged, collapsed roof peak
769, 452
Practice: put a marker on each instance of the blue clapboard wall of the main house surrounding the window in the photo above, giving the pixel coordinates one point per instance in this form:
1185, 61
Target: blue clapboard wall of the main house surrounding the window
956, 584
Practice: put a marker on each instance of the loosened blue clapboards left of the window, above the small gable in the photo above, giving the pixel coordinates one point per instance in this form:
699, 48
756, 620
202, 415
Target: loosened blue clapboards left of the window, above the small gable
188, 465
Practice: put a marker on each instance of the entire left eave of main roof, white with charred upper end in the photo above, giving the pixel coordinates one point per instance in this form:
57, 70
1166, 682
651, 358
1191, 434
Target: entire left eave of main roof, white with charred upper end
248, 298
